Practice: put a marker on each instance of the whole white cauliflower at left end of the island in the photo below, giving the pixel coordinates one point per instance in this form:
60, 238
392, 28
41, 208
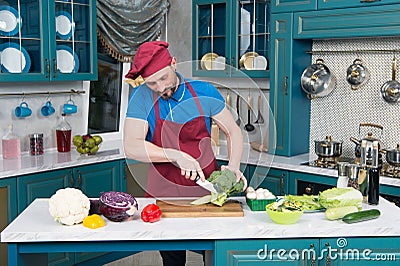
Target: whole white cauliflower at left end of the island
69, 206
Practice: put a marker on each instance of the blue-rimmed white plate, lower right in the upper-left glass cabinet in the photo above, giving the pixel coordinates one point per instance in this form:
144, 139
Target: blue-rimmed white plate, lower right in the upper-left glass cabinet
67, 59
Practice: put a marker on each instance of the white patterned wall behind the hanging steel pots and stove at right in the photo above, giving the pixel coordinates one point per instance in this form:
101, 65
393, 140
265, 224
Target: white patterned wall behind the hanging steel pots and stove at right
340, 113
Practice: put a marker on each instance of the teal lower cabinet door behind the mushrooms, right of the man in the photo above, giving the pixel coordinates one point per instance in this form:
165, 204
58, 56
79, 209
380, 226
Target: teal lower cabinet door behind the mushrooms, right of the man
274, 180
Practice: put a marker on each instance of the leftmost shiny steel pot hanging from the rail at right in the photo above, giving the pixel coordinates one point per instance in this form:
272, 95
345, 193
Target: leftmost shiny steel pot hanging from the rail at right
317, 80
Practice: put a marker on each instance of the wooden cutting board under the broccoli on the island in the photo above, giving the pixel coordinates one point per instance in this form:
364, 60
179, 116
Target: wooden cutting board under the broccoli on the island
183, 209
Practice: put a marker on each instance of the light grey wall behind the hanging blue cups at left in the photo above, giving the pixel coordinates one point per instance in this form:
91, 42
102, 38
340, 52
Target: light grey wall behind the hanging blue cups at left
36, 123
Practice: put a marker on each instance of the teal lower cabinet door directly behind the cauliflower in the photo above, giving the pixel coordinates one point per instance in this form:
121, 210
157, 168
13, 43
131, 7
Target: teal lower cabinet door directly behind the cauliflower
41, 185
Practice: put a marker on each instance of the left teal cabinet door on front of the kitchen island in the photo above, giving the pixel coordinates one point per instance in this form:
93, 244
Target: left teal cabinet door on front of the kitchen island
265, 252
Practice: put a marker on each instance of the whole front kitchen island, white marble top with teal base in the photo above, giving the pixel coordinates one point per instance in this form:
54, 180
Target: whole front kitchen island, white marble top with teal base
252, 238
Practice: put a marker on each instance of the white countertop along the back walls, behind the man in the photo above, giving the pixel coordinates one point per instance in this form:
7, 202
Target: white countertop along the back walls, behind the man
113, 150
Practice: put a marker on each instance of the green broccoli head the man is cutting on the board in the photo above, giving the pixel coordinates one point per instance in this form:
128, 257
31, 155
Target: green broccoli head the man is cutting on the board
225, 183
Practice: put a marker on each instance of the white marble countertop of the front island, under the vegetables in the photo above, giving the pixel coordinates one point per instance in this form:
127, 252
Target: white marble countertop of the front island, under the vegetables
36, 224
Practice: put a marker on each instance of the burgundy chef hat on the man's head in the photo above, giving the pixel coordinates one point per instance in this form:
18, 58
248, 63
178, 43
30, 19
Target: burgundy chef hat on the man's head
149, 58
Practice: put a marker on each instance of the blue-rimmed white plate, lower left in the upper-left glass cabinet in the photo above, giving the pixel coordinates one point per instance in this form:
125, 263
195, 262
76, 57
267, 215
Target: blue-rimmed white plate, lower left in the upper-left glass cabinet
14, 58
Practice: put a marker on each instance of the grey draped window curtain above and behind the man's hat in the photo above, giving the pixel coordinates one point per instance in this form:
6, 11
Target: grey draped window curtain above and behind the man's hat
123, 25
